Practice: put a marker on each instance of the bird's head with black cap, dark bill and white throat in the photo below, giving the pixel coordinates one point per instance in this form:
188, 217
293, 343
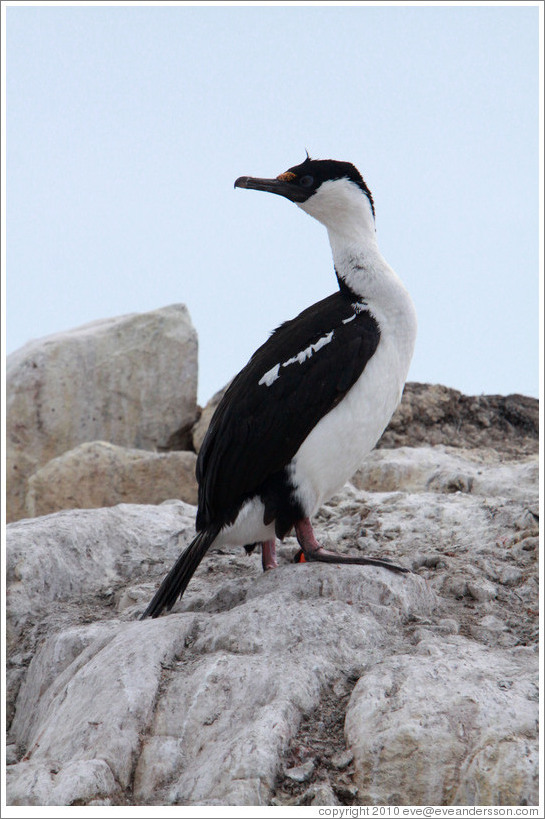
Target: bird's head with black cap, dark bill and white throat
331, 191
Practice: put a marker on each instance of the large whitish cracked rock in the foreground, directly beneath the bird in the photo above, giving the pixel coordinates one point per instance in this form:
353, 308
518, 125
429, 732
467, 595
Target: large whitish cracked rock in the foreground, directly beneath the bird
240, 709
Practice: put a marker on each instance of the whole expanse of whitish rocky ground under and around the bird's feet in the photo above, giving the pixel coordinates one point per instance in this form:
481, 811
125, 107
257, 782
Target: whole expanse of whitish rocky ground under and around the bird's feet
211, 703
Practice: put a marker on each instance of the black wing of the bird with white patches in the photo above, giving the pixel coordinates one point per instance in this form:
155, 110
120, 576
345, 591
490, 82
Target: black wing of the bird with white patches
301, 372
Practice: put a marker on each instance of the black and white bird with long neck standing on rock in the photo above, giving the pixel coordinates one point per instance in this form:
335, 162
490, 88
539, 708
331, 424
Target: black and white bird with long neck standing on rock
299, 419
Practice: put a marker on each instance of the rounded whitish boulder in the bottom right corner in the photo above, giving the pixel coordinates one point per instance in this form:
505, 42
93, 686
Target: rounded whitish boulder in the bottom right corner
432, 728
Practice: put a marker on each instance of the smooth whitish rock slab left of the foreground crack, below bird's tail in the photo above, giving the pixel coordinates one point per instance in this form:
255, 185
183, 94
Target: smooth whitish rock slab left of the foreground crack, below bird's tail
92, 713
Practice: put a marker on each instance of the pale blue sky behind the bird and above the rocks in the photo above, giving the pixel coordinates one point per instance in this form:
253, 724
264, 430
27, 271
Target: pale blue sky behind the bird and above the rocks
127, 126
